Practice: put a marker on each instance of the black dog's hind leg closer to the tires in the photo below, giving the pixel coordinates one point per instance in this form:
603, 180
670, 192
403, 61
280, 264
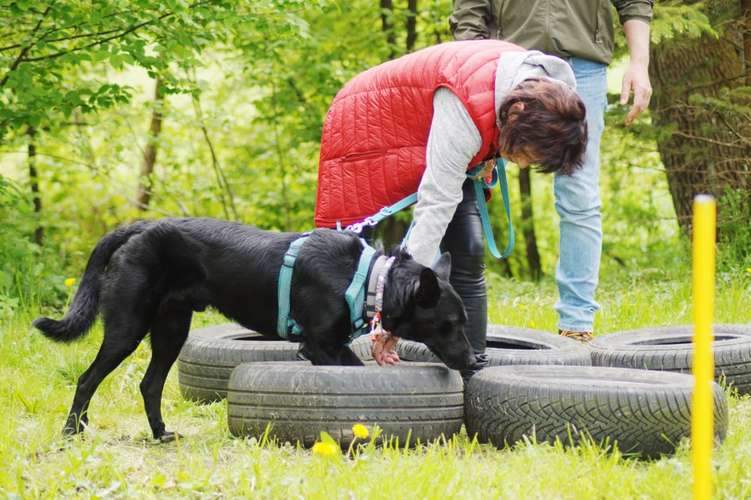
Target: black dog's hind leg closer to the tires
168, 333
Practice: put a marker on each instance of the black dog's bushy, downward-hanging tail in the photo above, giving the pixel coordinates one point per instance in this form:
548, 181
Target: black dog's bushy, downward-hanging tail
83, 310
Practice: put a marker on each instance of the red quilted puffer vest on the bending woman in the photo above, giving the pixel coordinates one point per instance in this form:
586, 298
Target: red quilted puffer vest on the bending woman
376, 131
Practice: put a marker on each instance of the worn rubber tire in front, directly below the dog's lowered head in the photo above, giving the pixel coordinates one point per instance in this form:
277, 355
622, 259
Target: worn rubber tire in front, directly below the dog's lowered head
410, 402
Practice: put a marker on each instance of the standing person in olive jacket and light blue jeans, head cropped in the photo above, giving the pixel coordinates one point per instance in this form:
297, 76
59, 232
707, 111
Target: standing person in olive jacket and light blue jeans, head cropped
581, 32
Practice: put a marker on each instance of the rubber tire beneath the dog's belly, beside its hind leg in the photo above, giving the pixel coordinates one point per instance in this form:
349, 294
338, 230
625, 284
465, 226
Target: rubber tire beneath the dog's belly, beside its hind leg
210, 354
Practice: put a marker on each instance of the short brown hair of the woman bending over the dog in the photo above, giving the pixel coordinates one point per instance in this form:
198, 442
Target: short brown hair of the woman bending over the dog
552, 124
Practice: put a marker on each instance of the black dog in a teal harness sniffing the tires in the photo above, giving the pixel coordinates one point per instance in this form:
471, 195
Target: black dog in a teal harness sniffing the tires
150, 276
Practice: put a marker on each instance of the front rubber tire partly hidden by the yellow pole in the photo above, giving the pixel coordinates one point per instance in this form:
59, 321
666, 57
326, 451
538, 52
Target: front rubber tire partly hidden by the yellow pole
646, 412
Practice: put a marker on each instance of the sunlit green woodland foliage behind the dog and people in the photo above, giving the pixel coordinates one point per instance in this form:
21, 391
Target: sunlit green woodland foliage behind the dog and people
248, 85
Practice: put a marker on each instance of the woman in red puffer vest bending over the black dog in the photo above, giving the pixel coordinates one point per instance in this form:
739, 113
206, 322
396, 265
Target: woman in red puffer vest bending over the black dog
418, 123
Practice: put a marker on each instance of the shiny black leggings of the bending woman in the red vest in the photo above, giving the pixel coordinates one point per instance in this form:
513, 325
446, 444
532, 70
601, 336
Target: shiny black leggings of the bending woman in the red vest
464, 240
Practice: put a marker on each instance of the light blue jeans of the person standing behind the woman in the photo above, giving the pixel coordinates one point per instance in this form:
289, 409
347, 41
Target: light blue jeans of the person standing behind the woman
577, 201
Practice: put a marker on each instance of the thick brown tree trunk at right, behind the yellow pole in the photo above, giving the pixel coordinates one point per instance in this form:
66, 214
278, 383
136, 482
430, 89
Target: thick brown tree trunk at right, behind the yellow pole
704, 146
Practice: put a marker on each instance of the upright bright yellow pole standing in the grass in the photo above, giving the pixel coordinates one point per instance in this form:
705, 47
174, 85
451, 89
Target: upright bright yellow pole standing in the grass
702, 424
